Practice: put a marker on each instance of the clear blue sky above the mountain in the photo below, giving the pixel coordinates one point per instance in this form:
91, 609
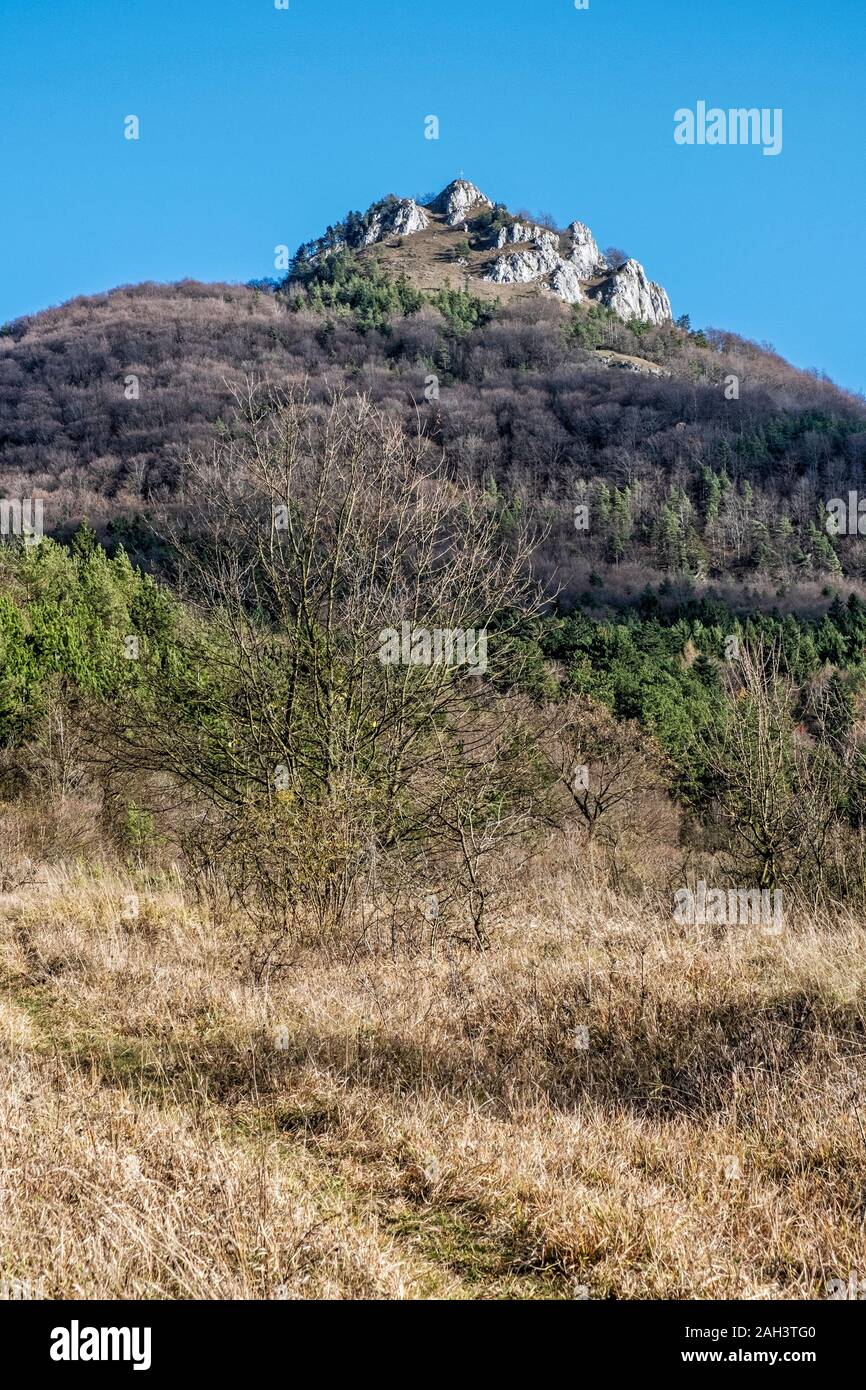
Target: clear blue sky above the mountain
261, 126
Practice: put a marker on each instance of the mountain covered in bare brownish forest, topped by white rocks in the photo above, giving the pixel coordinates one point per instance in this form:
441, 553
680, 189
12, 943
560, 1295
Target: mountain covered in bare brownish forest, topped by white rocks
696, 455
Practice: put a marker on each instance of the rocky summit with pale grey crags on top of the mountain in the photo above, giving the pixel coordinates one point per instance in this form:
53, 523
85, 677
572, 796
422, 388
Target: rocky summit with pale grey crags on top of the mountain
461, 238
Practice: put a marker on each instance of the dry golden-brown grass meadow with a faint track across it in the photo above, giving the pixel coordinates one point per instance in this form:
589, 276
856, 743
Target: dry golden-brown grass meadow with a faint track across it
415, 1128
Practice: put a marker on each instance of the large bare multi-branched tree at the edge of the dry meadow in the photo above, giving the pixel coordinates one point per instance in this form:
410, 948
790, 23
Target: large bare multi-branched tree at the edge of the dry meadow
318, 721
